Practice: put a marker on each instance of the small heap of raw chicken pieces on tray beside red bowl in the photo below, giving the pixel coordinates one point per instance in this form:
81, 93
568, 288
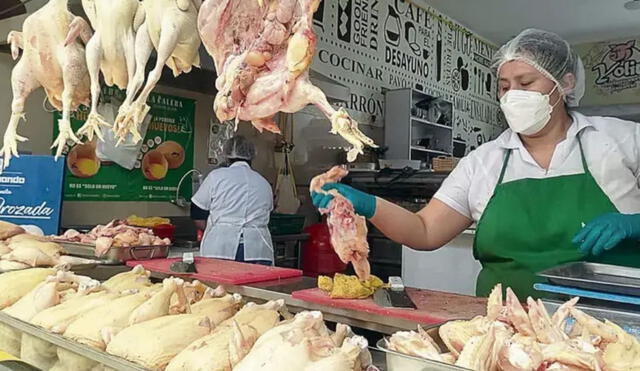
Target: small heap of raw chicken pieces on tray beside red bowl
117, 233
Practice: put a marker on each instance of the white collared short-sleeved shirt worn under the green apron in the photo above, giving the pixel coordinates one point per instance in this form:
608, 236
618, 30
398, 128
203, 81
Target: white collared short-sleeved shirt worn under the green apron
612, 151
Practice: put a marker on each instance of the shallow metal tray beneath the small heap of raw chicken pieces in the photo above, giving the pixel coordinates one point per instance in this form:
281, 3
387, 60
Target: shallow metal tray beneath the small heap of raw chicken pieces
117, 255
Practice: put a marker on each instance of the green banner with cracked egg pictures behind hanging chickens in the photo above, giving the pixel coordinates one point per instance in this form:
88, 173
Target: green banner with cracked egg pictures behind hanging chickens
162, 159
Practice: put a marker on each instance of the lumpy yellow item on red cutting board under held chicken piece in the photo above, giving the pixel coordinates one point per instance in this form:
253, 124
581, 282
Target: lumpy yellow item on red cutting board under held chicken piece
349, 287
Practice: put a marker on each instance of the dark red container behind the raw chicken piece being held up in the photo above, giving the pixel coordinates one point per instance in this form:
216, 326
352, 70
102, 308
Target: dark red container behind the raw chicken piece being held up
318, 255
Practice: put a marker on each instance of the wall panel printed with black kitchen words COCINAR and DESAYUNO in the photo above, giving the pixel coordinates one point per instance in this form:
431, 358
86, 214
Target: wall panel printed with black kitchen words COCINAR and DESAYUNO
371, 45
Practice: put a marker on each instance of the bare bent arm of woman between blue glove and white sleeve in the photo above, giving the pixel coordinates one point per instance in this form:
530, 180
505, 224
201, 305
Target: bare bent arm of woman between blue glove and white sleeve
416, 229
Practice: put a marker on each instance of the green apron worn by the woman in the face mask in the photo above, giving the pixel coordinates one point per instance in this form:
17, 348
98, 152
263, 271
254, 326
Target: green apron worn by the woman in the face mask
528, 225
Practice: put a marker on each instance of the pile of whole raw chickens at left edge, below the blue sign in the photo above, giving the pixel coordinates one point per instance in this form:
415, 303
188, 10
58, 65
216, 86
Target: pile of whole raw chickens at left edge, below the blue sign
20, 250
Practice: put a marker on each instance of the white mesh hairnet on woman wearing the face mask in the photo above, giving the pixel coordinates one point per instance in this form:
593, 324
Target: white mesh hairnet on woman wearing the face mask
548, 53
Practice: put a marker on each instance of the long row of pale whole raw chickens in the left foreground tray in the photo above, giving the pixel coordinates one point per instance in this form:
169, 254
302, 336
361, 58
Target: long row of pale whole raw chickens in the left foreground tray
174, 326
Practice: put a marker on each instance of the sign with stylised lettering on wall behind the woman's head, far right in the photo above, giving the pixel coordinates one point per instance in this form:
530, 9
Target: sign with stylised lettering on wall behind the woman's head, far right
612, 72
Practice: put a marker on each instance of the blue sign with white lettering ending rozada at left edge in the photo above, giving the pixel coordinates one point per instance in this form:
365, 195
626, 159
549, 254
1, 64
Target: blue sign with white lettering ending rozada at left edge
31, 192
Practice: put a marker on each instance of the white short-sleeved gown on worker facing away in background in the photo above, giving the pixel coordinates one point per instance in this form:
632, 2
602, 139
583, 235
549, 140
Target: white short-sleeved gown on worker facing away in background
239, 201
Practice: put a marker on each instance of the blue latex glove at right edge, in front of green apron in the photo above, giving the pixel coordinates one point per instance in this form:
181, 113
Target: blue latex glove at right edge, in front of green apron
607, 231
